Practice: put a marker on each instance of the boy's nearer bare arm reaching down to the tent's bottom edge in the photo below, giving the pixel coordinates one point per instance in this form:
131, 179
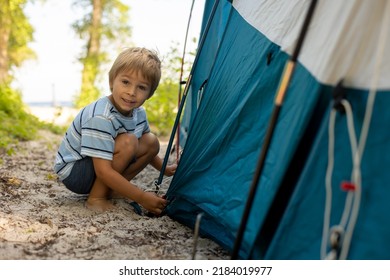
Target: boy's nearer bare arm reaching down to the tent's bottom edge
117, 182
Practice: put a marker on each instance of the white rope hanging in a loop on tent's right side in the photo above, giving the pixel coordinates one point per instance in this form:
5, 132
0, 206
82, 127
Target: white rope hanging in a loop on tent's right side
352, 205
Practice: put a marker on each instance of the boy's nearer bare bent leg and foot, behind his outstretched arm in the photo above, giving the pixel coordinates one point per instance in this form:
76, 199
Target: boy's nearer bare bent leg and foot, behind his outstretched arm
126, 146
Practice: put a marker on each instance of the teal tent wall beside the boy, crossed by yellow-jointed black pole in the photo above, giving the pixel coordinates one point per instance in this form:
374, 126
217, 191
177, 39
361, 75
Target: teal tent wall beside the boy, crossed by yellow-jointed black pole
218, 161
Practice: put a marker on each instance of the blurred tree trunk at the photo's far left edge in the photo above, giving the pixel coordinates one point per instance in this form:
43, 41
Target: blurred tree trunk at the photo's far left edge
5, 31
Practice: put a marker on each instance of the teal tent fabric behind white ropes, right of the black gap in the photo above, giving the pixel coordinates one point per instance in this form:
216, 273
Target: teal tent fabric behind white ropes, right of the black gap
299, 234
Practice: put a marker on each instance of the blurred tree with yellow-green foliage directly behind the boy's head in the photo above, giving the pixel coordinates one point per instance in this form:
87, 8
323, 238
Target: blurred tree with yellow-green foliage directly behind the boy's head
104, 24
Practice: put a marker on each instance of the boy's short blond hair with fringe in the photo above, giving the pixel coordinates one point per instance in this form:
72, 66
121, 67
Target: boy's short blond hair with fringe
138, 59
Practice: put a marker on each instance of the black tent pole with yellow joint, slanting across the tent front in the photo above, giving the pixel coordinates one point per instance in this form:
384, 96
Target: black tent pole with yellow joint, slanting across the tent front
281, 93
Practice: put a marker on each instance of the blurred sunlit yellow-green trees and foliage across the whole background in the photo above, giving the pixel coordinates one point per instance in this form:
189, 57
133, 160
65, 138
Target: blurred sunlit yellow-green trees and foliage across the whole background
104, 28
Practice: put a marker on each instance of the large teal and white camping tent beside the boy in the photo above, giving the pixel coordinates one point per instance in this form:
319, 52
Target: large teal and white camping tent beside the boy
323, 179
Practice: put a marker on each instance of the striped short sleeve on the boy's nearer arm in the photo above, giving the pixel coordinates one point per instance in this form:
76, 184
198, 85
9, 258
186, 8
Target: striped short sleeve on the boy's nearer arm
98, 138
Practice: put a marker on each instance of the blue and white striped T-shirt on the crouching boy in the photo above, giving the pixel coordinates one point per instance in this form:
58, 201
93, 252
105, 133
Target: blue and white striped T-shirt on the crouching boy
93, 132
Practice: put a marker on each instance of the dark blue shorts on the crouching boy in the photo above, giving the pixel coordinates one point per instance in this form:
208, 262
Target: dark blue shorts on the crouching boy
82, 176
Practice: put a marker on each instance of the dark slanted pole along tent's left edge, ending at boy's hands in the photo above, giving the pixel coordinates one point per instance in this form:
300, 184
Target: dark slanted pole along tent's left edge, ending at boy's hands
182, 102
